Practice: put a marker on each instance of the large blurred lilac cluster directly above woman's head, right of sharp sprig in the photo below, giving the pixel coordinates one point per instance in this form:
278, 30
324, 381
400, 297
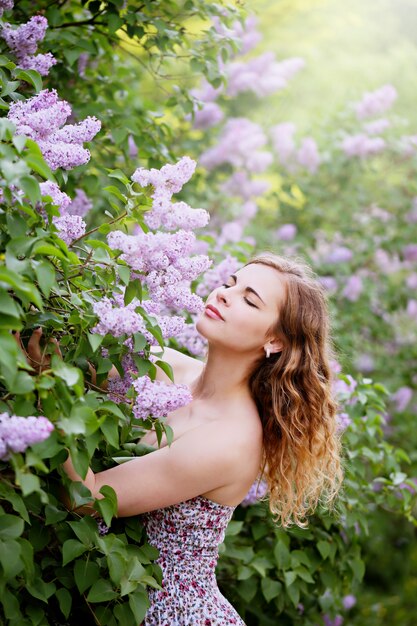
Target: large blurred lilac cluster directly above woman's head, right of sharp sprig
239, 145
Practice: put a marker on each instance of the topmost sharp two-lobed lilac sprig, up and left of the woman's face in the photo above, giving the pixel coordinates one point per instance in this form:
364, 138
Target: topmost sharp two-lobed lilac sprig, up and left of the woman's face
165, 182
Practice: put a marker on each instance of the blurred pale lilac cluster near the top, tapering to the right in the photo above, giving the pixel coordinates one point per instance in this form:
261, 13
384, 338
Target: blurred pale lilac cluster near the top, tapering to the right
263, 75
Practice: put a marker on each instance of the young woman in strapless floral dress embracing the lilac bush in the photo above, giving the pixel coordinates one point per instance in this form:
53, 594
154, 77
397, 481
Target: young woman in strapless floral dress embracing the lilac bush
262, 406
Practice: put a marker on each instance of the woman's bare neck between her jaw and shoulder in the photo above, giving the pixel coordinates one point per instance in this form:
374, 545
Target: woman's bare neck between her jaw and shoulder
225, 375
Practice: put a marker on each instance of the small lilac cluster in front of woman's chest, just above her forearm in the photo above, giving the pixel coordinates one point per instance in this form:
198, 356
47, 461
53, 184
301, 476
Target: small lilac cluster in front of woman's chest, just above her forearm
157, 399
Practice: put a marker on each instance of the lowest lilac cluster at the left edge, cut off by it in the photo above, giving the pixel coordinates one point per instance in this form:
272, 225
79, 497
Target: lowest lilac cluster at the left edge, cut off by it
18, 433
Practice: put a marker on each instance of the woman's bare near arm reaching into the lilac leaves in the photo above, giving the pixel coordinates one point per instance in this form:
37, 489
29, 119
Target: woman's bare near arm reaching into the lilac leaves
194, 464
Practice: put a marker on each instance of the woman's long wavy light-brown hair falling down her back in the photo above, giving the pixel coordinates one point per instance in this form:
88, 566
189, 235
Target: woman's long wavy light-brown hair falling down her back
293, 393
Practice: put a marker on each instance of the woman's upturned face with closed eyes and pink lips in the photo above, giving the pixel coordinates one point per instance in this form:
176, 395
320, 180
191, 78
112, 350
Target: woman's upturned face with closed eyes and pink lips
239, 314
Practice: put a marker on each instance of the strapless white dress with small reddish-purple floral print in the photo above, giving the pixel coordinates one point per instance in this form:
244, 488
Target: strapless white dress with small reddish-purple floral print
187, 536
